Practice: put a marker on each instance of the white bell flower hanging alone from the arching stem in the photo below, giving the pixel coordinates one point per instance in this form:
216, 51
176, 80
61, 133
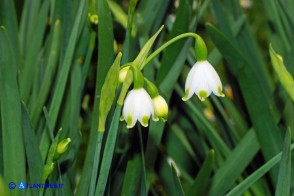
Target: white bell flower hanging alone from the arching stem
202, 80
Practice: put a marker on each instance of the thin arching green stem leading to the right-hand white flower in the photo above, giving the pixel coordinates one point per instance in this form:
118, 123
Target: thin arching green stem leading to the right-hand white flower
173, 40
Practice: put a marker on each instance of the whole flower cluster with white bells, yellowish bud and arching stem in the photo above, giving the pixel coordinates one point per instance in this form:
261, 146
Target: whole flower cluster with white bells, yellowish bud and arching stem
143, 101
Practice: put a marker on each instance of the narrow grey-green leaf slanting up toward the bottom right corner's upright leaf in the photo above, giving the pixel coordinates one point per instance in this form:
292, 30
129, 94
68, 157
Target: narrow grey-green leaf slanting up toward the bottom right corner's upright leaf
250, 180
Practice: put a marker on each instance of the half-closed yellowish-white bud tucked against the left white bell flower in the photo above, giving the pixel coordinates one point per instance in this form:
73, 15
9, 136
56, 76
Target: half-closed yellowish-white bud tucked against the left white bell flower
160, 107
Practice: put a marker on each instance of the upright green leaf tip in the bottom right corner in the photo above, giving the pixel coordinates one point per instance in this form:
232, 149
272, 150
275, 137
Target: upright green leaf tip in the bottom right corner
284, 179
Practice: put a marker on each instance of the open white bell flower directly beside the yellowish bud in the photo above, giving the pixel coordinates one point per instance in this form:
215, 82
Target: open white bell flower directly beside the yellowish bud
137, 106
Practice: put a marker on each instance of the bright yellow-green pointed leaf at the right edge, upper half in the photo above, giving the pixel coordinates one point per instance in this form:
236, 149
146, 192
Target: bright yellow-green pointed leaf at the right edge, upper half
283, 75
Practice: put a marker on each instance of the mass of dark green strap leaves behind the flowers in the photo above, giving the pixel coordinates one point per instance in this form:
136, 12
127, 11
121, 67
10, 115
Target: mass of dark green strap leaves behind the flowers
53, 61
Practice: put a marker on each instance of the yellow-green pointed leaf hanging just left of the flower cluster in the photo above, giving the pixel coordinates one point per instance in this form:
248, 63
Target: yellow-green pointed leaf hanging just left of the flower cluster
108, 92
